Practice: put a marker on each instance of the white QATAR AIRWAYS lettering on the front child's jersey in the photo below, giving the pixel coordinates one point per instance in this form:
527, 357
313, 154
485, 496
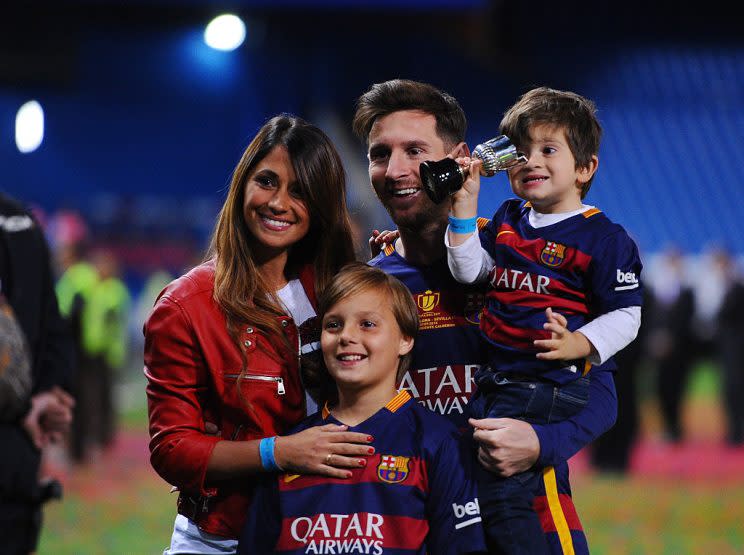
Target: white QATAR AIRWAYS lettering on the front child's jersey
339, 533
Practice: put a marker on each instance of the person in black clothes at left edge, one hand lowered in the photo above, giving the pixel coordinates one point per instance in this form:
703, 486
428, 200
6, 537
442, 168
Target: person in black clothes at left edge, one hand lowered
26, 281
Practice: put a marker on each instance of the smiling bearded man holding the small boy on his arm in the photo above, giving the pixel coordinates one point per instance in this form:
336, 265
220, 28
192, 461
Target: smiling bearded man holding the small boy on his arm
405, 123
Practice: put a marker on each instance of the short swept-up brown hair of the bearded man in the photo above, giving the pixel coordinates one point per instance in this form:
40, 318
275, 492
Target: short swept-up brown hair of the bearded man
396, 95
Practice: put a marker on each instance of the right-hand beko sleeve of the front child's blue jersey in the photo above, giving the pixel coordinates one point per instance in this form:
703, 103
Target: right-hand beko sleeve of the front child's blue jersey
452, 507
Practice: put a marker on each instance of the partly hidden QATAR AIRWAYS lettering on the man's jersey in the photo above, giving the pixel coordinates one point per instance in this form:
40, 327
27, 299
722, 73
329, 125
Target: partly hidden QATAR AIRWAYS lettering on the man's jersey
442, 389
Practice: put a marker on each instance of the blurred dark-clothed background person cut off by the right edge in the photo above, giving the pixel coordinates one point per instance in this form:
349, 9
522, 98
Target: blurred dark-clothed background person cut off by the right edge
729, 341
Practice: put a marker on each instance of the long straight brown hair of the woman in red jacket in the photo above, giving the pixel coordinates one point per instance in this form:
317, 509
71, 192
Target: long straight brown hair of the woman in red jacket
239, 288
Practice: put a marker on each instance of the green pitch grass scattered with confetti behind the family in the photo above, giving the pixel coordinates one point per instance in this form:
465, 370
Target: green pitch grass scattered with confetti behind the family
133, 513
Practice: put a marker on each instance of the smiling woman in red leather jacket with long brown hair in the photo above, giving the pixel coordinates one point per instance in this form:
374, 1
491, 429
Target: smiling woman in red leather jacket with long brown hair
223, 342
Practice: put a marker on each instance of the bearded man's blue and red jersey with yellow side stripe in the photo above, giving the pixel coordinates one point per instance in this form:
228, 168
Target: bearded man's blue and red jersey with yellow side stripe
448, 351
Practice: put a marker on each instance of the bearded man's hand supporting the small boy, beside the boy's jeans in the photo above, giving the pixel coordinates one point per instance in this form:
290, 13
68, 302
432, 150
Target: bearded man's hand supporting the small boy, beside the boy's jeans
506, 446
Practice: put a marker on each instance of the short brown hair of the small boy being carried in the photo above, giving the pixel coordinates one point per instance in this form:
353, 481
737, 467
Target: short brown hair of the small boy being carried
576, 114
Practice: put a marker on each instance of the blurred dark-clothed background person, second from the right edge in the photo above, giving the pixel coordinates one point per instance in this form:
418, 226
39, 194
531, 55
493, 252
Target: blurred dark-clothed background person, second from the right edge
672, 345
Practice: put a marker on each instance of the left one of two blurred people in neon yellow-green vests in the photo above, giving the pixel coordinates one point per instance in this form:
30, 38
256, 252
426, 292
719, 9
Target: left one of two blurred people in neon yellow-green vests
74, 289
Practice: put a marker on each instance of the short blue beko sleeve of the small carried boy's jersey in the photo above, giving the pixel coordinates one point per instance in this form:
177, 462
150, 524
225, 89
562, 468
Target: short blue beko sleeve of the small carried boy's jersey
616, 274
